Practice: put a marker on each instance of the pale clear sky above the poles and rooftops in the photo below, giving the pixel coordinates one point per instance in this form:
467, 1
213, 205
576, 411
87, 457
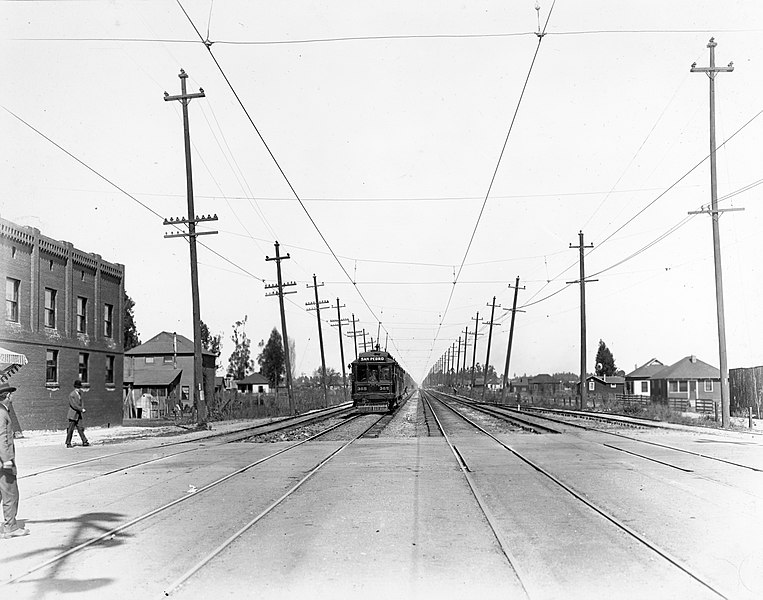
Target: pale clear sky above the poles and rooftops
416, 157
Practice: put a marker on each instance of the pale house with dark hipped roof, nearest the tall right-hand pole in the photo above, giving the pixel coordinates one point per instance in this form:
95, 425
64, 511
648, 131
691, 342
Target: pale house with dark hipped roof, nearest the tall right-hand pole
689, 384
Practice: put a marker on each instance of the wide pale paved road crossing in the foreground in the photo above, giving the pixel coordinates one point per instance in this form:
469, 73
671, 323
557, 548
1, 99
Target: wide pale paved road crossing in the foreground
394, 517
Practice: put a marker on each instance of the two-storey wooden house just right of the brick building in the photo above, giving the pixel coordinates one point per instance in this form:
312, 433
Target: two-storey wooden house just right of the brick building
159, 376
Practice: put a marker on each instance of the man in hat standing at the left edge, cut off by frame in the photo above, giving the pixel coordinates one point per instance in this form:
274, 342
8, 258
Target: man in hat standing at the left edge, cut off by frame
9, 488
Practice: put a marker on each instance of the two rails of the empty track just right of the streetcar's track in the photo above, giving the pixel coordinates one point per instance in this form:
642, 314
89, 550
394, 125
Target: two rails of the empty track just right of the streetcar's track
709, 588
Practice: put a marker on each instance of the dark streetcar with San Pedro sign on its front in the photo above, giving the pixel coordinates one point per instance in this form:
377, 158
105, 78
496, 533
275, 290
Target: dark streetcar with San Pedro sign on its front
378, 382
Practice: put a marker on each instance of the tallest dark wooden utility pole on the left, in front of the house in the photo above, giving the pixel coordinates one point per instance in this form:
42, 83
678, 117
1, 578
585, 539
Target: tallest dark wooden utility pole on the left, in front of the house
198, 372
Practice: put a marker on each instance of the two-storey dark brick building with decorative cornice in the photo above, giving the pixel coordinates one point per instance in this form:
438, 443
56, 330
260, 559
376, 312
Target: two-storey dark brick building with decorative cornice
63, 311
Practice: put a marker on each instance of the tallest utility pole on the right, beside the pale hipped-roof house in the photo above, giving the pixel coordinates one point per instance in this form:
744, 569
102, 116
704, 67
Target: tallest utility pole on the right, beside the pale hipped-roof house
715, 216
